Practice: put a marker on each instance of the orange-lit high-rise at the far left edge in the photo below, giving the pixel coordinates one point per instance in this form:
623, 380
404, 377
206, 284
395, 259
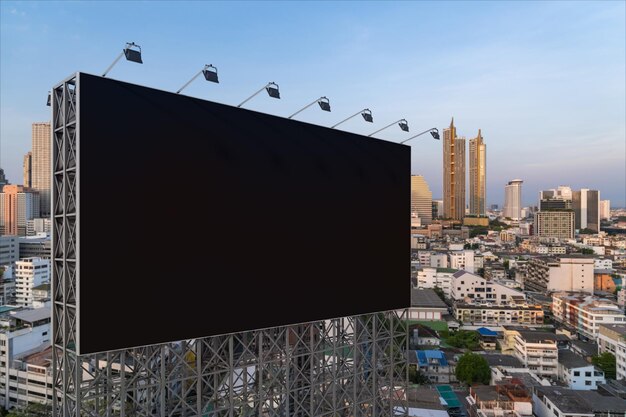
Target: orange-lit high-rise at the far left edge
17, 205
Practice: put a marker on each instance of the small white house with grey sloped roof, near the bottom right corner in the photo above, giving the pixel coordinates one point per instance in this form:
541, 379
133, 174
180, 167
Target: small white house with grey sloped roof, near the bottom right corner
577, 373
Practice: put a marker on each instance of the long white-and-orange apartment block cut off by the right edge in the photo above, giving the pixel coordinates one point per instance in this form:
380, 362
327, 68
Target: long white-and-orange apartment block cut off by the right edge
585, 313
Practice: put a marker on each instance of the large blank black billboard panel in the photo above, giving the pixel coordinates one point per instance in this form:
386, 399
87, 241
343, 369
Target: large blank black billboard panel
198, 219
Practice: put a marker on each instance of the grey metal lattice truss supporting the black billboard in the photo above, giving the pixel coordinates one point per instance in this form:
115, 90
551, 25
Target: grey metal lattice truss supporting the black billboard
348, 367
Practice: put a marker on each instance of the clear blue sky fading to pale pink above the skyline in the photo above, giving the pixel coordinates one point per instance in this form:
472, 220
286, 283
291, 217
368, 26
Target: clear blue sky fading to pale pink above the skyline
545, 81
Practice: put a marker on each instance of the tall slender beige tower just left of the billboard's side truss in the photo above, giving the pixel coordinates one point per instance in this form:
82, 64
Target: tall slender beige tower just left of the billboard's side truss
40, 165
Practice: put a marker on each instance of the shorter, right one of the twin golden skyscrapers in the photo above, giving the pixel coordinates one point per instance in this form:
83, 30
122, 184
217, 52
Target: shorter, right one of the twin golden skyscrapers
478, 175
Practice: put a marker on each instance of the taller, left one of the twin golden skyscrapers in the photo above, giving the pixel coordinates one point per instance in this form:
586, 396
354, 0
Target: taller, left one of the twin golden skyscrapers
453, 174
